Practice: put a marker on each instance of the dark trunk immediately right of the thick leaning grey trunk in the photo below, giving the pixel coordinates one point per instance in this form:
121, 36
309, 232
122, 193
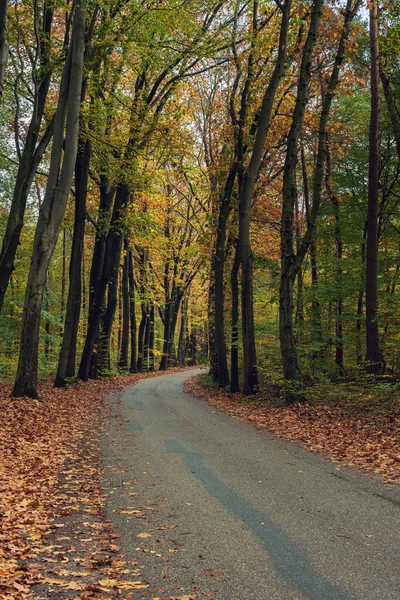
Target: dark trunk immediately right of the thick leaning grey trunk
67, 358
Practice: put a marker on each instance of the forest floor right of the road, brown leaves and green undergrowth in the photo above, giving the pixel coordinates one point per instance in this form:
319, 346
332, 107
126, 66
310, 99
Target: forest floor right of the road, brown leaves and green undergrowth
354, 423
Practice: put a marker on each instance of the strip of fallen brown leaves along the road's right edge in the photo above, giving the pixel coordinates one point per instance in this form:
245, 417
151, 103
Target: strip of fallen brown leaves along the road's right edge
349, 441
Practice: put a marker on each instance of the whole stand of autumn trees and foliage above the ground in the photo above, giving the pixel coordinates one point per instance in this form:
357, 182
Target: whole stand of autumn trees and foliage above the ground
199, 181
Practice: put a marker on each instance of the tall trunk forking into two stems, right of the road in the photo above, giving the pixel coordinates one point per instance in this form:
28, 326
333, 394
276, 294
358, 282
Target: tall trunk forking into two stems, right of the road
291, 262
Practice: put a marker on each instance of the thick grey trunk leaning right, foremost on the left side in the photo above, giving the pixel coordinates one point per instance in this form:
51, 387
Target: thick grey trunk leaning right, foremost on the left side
53, 208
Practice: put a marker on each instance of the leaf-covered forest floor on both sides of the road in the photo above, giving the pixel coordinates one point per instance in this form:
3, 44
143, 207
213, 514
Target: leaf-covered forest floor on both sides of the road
55, 540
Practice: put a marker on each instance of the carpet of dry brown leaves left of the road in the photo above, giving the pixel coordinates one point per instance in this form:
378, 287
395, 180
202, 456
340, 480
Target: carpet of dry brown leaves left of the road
39, 445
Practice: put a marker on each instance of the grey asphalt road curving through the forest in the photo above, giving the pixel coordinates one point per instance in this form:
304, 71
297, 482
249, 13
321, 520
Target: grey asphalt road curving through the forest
216, 509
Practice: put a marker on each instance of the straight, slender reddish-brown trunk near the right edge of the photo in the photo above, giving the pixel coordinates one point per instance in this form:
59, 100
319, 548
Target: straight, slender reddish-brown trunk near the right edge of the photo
373, 350
